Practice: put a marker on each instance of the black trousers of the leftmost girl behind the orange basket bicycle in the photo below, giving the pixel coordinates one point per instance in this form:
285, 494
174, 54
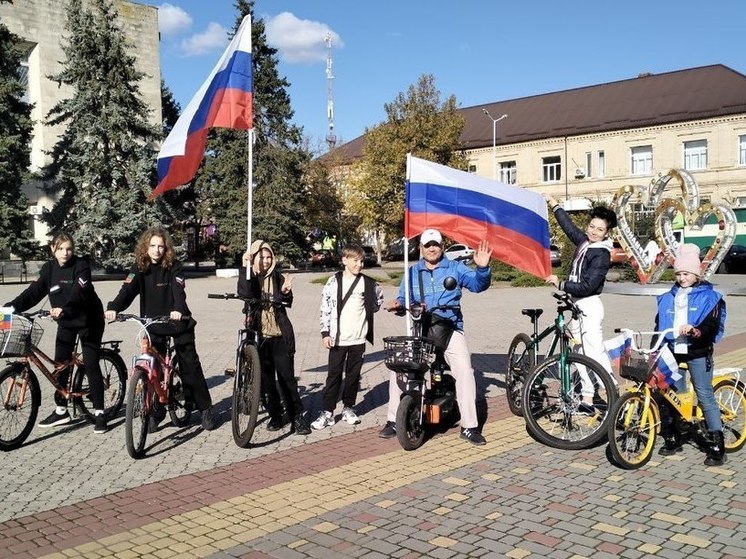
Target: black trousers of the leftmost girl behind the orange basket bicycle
90, 341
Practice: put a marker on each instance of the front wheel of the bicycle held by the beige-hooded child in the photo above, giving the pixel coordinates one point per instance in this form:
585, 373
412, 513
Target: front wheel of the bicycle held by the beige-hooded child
246, 391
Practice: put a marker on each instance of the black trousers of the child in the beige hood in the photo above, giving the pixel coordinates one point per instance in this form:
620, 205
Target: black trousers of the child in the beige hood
278, 368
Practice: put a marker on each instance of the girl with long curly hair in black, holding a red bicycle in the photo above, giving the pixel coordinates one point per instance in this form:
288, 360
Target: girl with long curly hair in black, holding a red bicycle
158, 279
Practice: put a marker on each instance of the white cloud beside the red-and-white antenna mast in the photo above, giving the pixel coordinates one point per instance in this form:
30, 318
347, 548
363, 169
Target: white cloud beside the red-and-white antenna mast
299, 40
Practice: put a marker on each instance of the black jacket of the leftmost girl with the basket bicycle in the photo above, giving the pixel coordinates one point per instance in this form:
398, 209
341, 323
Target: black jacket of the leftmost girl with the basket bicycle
70, 288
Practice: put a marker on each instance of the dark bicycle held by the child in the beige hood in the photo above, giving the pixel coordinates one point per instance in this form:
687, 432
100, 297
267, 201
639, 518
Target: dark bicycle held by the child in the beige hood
247, 377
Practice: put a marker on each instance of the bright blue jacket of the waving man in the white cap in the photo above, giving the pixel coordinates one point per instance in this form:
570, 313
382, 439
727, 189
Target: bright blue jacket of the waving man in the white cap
475, 280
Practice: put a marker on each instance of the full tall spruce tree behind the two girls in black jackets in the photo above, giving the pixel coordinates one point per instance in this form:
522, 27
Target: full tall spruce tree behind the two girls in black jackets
102, 166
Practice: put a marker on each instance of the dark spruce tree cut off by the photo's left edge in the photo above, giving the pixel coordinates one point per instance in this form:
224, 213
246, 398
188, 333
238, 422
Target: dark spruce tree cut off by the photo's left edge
15, 149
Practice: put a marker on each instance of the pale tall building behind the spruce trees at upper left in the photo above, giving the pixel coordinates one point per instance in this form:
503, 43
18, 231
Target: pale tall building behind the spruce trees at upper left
41, 24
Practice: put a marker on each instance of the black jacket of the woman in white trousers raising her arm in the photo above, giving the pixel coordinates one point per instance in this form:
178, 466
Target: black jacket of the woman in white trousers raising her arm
592, 267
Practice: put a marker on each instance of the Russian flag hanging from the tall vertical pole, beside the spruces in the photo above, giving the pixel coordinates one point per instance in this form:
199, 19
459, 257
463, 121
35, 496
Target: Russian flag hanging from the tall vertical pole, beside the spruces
224, 100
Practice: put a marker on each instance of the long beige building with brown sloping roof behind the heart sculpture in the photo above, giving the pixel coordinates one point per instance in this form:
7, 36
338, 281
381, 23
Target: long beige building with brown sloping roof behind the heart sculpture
589, 142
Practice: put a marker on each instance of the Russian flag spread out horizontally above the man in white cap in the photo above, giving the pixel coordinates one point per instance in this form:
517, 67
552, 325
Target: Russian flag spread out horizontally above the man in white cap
468, 208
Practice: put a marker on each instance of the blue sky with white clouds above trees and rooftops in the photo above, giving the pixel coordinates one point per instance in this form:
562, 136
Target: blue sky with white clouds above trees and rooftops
480, 51
